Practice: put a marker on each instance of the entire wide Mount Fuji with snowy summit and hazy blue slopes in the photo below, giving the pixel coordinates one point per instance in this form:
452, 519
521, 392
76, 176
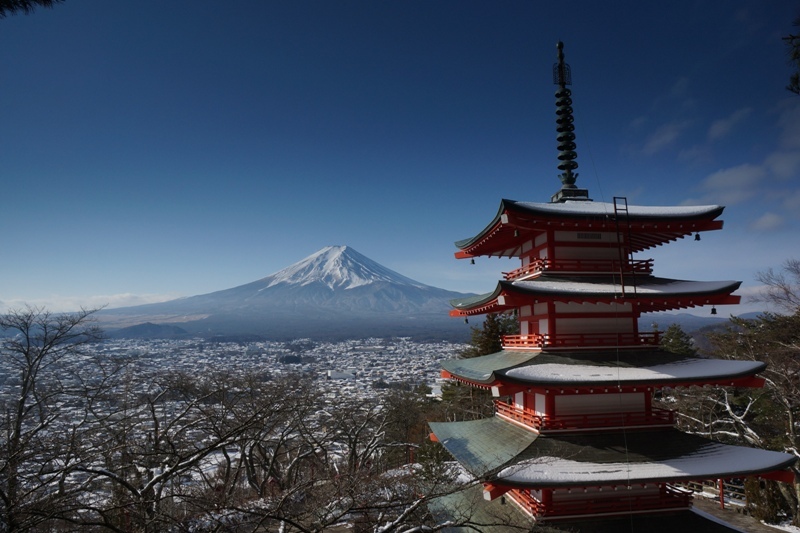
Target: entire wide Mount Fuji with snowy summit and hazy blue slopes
335, 293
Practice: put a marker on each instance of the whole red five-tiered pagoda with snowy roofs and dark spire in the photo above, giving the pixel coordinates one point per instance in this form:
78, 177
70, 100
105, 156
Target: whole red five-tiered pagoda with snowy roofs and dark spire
575, 434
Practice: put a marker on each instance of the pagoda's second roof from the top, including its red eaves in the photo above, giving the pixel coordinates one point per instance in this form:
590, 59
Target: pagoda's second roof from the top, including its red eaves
650, 292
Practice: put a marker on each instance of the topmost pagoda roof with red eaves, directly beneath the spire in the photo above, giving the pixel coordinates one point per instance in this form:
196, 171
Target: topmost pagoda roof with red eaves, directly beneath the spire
648, 226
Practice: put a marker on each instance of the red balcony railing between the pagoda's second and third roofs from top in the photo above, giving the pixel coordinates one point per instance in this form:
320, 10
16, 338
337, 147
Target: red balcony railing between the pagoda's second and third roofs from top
537, 341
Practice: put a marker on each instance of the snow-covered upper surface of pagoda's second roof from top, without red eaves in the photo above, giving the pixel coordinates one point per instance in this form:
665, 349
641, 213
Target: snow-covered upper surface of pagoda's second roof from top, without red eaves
600, 287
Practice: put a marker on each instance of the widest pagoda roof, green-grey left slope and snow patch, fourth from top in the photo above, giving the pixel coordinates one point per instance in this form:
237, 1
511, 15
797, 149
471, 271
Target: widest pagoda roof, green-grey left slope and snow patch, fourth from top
502, 453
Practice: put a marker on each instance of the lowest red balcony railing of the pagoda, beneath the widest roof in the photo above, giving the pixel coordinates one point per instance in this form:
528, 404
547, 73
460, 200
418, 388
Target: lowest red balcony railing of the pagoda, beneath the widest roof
611, 501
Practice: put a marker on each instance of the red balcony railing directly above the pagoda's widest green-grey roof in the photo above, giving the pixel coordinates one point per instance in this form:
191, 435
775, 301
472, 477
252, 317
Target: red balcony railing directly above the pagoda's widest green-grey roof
656, 417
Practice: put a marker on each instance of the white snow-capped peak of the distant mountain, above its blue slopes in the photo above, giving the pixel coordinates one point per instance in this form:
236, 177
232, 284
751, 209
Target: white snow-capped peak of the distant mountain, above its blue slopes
337, 267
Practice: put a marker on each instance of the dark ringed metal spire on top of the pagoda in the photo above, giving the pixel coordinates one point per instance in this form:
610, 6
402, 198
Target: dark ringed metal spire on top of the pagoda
562, 76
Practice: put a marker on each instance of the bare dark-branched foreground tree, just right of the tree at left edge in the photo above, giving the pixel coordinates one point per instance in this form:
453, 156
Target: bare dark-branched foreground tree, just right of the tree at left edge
160, 453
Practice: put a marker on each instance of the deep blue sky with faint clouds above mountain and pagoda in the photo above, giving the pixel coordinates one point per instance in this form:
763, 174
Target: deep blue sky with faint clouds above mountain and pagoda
151, 150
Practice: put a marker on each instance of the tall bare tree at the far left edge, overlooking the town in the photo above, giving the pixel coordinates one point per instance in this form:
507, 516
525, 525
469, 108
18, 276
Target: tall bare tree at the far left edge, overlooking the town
41, 426
